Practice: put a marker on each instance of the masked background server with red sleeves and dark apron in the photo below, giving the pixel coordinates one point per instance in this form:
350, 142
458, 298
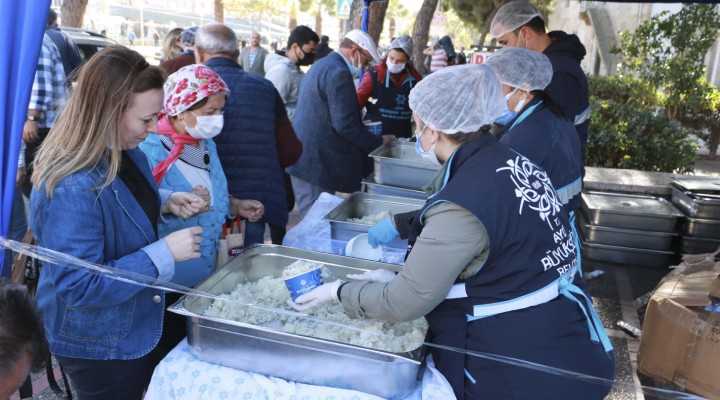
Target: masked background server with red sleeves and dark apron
389, 84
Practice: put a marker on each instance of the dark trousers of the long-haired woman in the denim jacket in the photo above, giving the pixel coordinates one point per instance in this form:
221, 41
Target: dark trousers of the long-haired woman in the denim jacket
124, 379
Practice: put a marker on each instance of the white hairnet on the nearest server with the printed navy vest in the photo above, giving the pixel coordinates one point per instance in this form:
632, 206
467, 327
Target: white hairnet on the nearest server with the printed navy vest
456, 99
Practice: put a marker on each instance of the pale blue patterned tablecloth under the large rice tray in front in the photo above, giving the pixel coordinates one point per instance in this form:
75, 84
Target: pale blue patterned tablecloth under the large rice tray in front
181, 375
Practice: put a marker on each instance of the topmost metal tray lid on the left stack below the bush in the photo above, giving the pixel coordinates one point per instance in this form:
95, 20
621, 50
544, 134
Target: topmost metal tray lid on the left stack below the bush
629, 204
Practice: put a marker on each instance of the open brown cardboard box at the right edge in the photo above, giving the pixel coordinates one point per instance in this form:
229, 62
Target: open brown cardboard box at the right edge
680, 341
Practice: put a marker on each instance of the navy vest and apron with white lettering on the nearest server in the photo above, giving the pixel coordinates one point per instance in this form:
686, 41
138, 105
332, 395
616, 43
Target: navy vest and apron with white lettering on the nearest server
527, 277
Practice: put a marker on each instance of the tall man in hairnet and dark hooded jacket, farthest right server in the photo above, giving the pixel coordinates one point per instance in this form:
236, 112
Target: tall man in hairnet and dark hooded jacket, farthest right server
520, 24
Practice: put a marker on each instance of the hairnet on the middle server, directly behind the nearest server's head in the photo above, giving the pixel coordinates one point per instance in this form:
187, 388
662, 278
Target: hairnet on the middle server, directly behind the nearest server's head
521, 68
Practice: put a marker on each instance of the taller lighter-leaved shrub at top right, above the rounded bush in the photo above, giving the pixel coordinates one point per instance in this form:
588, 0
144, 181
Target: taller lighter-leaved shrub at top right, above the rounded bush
668, 51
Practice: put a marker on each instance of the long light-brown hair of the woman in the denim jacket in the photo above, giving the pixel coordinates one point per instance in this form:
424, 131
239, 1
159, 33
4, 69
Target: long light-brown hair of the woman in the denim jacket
87, 129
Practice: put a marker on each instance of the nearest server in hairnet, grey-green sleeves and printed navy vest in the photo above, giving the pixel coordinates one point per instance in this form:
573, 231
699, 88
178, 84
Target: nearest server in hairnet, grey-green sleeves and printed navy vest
490, 258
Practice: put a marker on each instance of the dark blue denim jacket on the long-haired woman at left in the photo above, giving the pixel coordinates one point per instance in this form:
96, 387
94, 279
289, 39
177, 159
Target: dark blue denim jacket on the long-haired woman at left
87, 315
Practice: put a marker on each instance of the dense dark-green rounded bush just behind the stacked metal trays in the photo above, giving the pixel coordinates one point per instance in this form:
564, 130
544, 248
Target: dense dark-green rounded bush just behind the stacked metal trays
626, 131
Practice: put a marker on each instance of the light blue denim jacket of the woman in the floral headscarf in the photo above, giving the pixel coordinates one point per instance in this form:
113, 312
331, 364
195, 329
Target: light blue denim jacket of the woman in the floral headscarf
192, 272
